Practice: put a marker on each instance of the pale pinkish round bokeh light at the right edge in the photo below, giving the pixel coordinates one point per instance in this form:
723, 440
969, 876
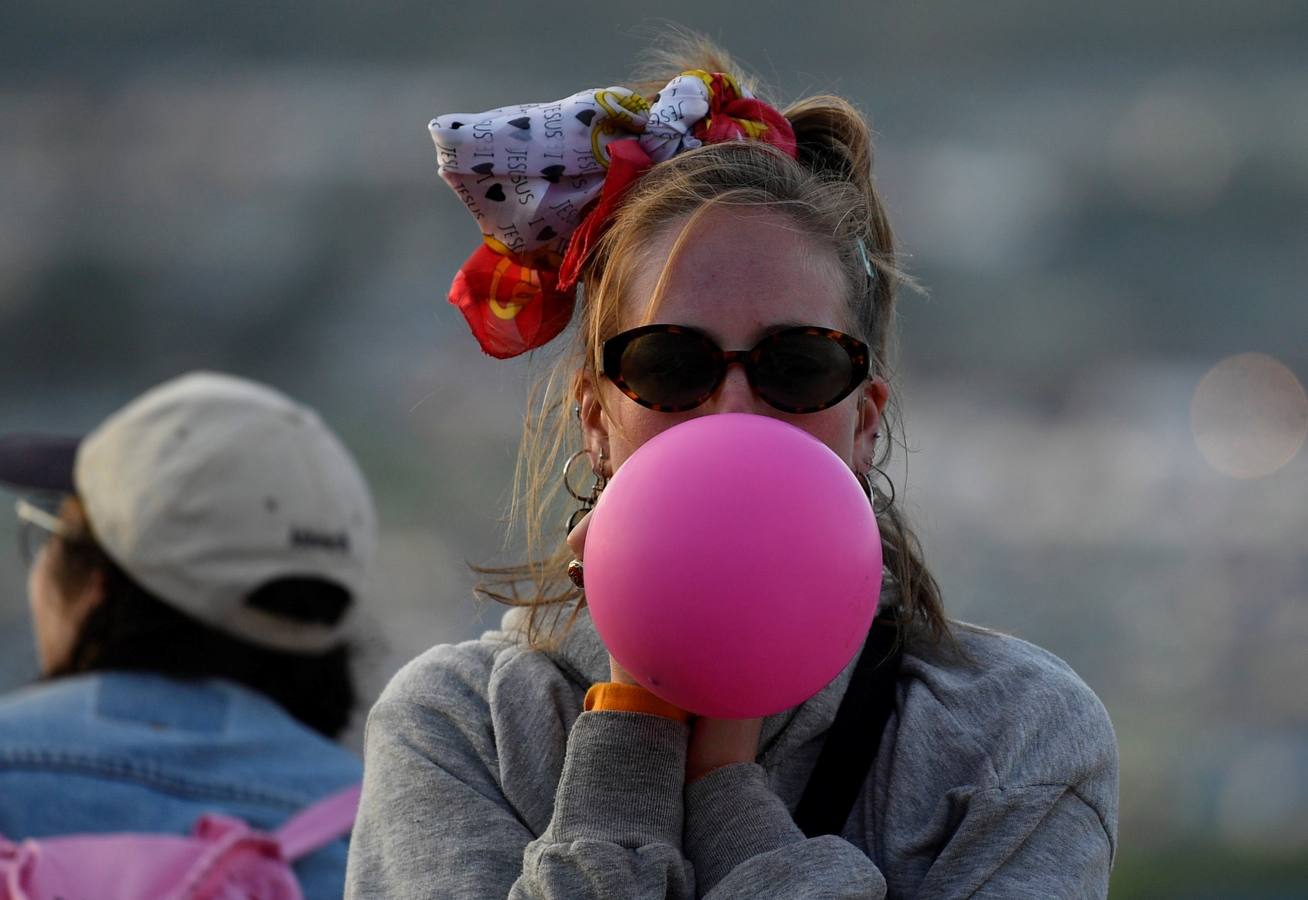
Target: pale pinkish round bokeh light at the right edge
1250, 417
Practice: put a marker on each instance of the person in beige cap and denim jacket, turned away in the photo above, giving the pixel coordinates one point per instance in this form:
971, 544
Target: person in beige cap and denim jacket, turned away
193, 564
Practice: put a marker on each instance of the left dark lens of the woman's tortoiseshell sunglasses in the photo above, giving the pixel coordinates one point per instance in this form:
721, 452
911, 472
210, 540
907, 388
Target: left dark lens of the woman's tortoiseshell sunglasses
670, 370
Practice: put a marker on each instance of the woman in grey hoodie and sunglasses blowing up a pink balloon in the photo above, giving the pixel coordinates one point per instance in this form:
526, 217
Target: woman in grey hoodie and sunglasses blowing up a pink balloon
529, 763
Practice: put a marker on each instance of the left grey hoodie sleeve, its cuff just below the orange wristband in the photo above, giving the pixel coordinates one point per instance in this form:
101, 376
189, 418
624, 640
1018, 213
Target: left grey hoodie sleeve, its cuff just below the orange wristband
435, 818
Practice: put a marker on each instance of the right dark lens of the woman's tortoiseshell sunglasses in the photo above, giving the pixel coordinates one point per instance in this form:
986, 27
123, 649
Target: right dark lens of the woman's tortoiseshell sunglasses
802, 372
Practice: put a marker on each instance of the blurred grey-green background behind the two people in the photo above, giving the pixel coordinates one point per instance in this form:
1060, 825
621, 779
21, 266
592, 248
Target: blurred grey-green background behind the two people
1107, 205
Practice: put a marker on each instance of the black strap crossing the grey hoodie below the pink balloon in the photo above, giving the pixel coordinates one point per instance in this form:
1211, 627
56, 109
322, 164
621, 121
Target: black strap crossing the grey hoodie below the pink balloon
855, 735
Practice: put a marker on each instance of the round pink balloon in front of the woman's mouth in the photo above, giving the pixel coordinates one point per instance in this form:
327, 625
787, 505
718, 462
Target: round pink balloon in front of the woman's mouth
733, 566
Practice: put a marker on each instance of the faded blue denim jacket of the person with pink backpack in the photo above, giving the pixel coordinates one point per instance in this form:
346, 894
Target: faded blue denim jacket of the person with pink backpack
143, 753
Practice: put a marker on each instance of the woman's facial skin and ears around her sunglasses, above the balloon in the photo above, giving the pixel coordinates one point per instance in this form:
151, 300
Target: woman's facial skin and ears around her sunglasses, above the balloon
738, 275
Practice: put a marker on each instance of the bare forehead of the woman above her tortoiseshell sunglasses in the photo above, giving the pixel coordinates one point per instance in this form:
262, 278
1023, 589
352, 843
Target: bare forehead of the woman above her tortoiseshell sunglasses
737, 274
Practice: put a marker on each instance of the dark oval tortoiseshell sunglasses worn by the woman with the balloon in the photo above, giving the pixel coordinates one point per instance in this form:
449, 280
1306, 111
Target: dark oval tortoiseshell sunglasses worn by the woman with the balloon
673, 368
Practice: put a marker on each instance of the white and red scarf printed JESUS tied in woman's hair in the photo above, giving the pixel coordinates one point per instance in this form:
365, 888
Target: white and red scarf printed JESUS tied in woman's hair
543, 182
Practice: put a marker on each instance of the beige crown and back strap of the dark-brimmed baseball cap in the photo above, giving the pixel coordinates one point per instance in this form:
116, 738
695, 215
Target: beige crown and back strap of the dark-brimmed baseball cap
209, 487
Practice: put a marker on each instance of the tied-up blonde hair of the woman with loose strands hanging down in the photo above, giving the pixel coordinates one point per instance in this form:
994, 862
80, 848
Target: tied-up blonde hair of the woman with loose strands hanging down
829, 194
